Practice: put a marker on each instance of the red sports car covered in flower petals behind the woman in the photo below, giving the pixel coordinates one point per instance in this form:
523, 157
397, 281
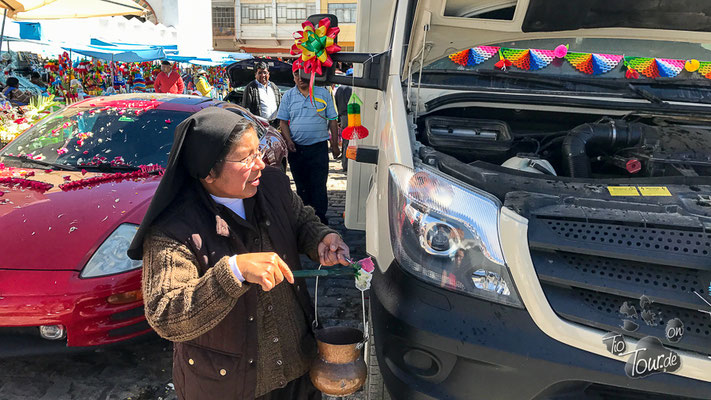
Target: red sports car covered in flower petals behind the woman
73, 190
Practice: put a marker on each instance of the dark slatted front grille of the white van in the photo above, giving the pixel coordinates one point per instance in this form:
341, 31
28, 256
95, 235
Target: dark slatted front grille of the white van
588, 270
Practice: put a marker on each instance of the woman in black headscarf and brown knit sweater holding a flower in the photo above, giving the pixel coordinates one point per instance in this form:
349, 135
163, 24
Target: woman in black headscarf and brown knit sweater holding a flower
220, 236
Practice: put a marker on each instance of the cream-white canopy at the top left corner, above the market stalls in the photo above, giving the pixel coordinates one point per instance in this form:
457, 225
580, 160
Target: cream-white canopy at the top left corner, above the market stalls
23, 10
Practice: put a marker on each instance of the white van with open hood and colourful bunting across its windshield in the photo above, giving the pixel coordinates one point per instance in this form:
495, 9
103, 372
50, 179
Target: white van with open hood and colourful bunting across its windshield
536, 191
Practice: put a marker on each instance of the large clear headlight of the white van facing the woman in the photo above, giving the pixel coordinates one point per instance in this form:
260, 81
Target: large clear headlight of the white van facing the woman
448, 235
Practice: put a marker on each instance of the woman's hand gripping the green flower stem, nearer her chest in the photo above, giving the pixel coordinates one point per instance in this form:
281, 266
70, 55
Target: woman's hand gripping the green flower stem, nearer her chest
264, 269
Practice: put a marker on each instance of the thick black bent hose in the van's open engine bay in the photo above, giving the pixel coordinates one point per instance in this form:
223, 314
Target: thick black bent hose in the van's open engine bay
603, 136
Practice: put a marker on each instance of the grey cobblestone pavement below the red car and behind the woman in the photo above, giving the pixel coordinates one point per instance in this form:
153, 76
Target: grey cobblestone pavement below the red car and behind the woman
142, 371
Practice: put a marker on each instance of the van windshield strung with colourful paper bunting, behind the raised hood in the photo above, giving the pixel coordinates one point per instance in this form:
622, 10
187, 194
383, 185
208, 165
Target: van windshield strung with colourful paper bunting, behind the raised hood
670, 70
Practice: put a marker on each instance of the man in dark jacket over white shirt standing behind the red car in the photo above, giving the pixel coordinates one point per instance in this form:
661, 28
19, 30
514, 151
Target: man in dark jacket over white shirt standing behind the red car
261, 96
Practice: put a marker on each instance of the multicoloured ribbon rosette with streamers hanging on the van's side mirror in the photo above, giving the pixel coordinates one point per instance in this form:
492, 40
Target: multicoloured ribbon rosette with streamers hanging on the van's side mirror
315, 46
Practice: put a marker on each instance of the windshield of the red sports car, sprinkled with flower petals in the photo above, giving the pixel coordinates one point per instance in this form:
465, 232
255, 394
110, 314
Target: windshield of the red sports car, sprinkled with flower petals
82, 137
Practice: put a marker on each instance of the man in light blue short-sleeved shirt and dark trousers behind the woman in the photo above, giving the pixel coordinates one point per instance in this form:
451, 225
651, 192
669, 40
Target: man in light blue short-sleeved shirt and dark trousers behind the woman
305, 125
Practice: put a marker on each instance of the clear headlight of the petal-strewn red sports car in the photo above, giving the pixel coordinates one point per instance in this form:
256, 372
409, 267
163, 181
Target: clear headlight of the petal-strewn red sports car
111, 258
